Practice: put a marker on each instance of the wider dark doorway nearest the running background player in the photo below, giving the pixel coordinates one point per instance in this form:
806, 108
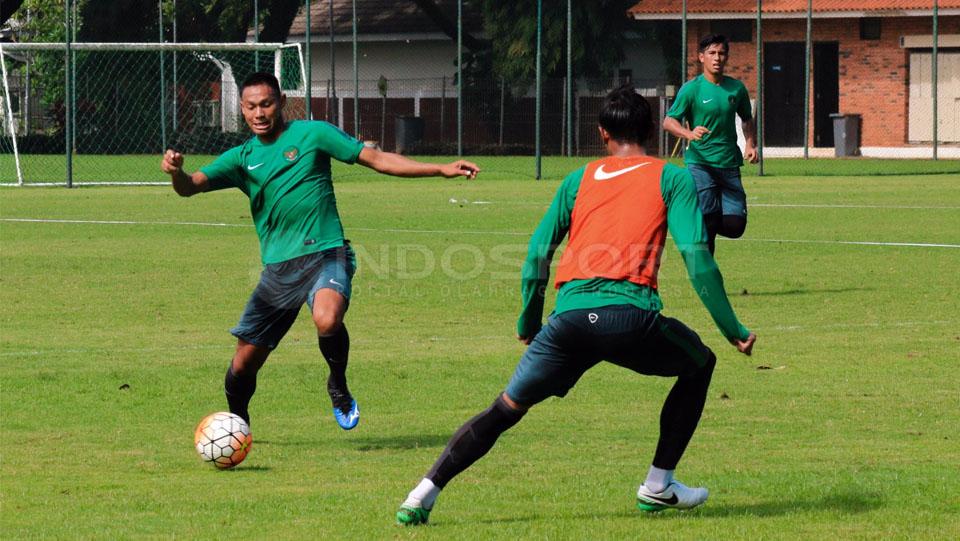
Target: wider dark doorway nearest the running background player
783, 94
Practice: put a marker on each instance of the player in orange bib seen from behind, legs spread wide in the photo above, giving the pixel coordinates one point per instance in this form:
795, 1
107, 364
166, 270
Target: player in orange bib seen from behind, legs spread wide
616, 212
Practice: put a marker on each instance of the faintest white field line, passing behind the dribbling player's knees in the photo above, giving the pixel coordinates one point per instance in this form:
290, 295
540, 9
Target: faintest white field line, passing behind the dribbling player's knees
226, 348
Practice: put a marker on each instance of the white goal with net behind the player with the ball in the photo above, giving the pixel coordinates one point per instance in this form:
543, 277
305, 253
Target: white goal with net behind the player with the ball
118, 106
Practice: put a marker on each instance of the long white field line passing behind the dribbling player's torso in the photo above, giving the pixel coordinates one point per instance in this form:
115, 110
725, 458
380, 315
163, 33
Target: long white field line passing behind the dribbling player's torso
465, 232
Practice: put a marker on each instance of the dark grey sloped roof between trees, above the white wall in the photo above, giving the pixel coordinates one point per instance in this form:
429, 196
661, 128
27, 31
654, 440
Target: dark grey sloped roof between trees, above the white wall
381, 17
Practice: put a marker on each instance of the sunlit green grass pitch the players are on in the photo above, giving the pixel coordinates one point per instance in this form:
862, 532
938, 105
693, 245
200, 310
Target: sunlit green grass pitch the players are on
114, 314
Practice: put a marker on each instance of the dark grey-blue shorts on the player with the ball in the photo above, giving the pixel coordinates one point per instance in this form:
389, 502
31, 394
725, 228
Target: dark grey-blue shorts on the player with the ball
283, 289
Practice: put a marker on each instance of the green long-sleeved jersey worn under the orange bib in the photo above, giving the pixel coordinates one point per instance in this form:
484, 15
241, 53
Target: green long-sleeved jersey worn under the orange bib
685, 223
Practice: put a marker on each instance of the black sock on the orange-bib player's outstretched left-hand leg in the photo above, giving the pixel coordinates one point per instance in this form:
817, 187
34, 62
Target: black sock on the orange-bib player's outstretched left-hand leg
473, 440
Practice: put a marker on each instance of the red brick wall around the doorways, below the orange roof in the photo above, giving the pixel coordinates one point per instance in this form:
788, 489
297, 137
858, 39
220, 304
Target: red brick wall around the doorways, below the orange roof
874, 75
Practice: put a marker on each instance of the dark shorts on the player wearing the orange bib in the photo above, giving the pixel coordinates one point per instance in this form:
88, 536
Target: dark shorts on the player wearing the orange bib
573, 342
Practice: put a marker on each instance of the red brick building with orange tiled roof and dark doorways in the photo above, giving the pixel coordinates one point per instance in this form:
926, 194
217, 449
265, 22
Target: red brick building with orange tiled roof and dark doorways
872, 58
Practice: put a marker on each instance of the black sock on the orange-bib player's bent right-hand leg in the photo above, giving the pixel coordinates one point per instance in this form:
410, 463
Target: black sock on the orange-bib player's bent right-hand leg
680, 415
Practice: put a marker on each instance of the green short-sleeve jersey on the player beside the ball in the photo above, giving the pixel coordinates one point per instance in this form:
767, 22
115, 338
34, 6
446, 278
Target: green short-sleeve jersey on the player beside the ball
290, 187
